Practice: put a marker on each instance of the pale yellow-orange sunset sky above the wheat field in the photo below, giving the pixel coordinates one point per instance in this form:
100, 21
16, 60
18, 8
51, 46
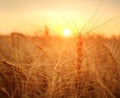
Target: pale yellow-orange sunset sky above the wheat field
31, 16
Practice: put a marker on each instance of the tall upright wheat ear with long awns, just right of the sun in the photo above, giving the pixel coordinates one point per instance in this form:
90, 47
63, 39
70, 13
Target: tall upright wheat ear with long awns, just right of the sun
80, 47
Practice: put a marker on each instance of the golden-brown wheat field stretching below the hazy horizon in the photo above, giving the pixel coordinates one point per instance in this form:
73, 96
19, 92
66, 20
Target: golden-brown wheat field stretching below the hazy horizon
54, 67
